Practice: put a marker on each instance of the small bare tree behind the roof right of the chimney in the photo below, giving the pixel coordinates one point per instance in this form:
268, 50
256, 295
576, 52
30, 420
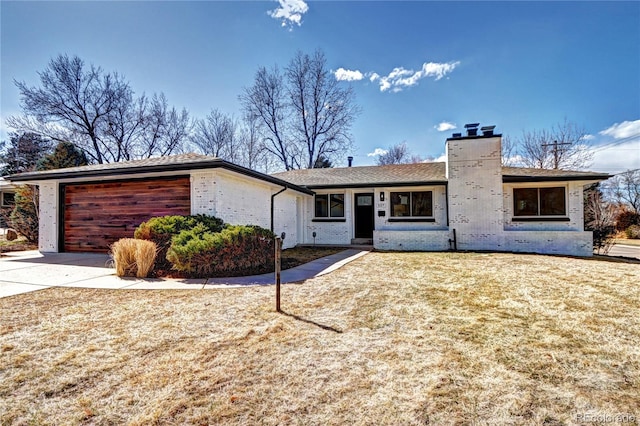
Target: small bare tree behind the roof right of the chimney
564, 146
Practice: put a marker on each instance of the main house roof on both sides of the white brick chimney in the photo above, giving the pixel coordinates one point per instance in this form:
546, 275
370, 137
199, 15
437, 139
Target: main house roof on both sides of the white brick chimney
416, 174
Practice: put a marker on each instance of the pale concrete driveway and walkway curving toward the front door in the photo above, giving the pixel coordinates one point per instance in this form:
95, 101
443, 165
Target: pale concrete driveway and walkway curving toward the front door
22, 272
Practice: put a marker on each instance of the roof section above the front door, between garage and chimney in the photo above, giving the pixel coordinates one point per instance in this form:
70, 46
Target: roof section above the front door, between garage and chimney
368, 176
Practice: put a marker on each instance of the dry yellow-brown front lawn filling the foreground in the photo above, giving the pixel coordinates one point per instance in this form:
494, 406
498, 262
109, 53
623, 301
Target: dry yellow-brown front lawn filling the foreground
441, 338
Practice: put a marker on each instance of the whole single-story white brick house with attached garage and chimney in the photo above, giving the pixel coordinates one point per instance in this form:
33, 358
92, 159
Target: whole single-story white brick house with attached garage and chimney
468, 202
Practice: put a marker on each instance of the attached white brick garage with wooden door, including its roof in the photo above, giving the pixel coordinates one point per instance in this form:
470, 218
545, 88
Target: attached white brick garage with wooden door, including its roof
88, 208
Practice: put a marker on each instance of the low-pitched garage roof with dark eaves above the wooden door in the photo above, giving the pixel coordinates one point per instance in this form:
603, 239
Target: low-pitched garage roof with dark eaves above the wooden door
181, 162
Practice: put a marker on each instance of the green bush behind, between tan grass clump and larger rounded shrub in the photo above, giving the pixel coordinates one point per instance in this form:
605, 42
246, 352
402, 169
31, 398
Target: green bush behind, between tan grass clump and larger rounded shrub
162, 229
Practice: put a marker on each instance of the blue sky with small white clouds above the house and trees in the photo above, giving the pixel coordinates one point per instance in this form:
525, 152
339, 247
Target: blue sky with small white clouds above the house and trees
518, 65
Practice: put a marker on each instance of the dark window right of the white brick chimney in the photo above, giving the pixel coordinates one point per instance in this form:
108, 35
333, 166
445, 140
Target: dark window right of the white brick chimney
539, 201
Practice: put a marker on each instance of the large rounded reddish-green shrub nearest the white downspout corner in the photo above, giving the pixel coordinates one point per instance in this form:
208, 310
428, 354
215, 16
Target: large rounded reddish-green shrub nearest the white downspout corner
236, 250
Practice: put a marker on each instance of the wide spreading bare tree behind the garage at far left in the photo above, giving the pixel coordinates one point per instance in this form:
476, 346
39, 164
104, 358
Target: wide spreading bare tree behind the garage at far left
97, 112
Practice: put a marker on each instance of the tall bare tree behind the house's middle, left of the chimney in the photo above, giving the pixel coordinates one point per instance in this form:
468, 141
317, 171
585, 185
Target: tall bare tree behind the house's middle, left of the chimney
304, 113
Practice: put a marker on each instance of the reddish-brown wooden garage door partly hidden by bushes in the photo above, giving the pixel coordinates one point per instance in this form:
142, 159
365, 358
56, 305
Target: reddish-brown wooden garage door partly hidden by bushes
98, 214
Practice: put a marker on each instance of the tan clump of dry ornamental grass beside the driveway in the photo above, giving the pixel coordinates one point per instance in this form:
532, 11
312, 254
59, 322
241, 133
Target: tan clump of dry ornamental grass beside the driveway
133, 258
